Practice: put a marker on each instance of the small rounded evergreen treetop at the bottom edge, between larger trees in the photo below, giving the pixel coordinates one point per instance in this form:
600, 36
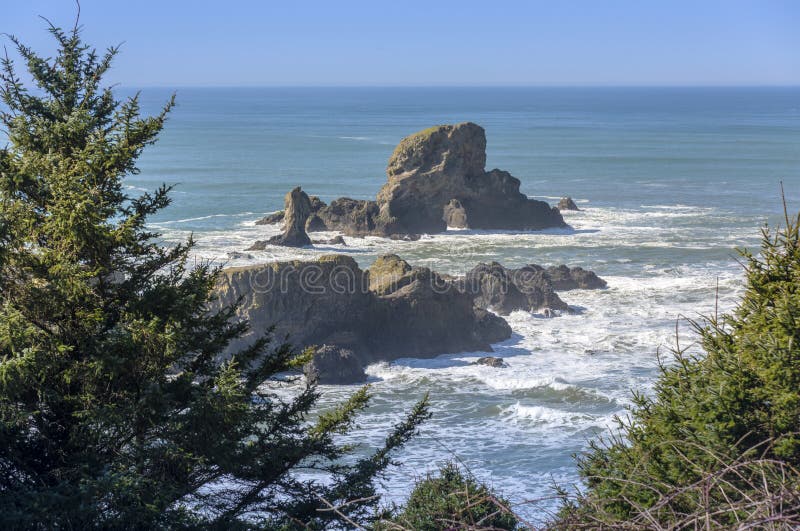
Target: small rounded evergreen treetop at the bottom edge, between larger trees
452, 500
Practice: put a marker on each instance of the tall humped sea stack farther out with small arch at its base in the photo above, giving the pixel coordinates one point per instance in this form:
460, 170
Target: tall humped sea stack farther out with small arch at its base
437, 178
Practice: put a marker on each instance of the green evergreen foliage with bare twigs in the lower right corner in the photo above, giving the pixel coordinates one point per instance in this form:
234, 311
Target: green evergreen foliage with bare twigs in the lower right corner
718, 446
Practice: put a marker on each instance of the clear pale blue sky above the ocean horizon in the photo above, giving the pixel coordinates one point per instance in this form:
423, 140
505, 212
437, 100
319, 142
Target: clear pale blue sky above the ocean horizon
432, 42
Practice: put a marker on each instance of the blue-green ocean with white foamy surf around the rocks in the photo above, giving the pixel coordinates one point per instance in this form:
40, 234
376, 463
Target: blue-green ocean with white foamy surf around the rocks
670, 182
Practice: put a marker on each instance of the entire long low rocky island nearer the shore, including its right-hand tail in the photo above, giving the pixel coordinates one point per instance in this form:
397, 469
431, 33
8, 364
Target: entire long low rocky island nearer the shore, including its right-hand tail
388, 311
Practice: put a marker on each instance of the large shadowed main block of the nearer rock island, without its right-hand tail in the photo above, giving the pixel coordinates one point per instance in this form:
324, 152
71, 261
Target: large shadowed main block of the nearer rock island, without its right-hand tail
329, 301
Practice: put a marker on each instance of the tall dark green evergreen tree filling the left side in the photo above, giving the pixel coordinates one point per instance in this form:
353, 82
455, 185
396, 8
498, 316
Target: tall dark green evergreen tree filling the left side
113, 411
